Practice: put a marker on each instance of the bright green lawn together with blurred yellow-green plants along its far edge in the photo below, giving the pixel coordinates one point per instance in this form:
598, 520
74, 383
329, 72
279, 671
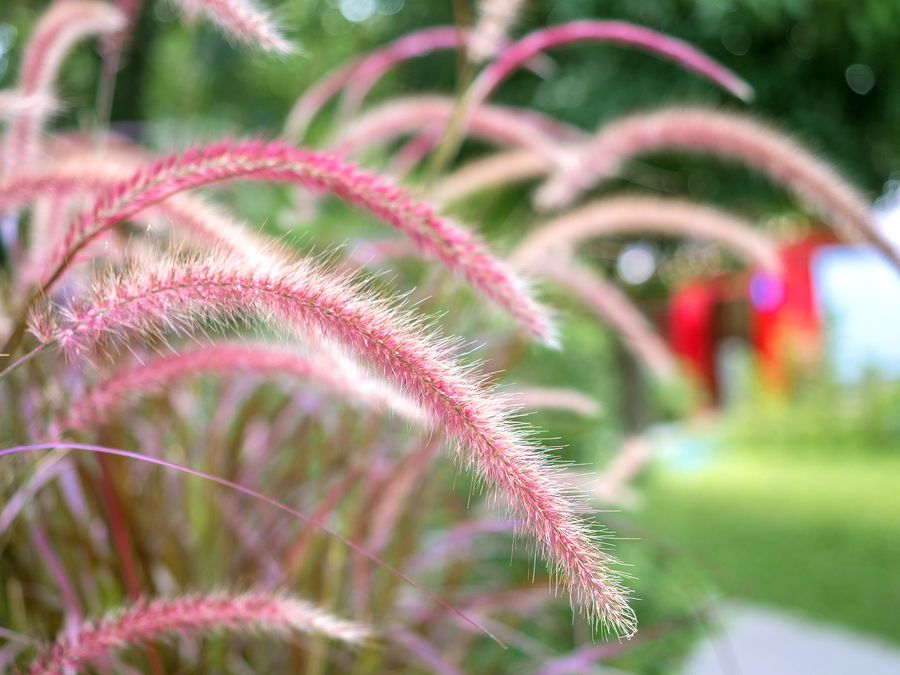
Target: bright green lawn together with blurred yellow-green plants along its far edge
797, 504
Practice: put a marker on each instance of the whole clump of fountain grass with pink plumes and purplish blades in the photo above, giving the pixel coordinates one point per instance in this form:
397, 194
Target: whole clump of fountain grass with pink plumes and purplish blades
109, 251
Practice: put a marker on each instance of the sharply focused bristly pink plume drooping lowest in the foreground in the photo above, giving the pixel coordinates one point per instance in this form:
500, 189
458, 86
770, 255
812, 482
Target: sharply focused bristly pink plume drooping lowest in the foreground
318, 306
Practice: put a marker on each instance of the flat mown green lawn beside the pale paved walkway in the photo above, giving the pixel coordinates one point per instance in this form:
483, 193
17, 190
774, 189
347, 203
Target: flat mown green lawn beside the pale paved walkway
819, 535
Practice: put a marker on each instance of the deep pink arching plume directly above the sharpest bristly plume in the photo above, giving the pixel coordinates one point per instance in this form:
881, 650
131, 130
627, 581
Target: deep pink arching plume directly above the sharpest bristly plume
457, 248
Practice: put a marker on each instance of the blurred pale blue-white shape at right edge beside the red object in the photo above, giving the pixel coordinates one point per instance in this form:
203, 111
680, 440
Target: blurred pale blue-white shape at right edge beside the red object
858, 294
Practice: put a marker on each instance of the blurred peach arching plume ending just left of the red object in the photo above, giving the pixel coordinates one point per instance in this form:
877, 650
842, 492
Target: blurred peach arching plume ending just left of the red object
627, 215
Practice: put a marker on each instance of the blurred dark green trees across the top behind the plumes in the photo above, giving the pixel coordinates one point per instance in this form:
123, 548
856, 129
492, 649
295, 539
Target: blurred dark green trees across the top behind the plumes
794, 52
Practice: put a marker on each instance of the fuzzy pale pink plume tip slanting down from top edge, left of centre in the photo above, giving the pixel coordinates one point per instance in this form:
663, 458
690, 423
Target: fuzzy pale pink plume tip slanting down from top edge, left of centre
242, 21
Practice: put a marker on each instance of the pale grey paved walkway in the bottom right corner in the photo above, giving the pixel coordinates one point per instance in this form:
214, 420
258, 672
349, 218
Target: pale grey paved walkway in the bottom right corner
765, 641
